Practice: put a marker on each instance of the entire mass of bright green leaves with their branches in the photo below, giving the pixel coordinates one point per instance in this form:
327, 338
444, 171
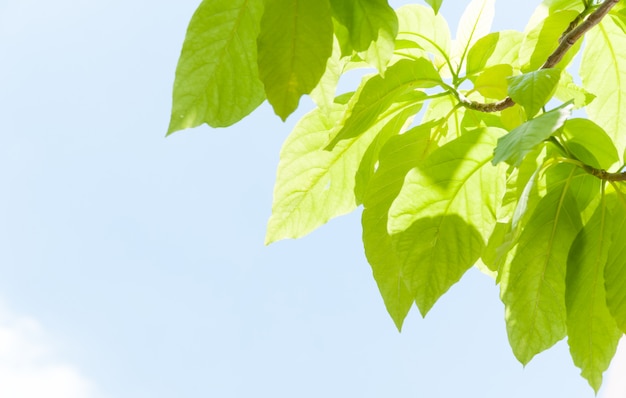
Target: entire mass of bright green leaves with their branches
461, 152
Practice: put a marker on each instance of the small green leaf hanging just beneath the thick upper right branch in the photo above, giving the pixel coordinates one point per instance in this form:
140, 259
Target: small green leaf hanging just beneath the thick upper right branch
534, 89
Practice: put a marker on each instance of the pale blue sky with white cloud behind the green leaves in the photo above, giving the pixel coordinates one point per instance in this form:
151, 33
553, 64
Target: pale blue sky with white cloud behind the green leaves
133, 265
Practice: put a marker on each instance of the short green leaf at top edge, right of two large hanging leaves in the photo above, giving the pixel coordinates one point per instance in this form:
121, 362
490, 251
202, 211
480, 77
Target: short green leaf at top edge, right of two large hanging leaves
372, 26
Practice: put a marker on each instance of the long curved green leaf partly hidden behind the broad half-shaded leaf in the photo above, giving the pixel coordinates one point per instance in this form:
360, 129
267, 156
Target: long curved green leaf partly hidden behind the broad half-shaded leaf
399, 155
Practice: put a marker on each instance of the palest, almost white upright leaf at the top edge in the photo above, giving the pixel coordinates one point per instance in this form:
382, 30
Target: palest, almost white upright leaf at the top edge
474, 24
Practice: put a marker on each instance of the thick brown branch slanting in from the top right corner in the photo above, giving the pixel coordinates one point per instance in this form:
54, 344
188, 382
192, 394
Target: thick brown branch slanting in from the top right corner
570, 37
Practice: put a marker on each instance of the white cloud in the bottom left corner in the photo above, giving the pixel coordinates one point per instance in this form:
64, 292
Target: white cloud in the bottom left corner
29, 367
